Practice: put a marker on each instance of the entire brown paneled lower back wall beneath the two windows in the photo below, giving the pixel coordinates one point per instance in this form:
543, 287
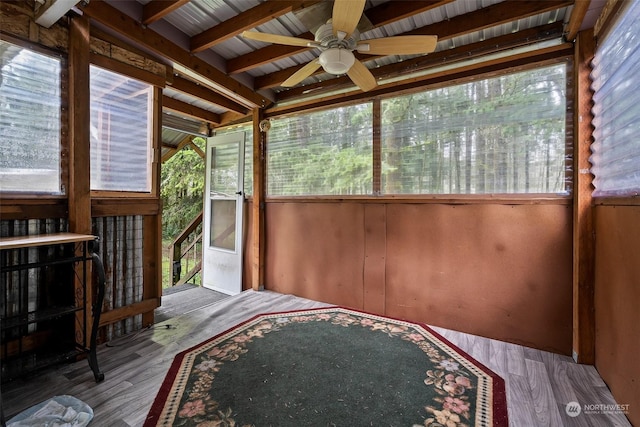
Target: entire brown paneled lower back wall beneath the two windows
501, 271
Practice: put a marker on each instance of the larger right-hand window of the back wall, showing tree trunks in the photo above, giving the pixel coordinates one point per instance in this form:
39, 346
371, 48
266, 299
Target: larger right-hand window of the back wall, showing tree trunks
504, 134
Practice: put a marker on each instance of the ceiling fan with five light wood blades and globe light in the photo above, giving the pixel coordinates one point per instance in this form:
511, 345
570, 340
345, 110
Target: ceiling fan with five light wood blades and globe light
338, 38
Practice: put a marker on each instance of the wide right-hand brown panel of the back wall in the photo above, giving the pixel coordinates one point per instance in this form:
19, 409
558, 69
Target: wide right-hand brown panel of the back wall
498, 271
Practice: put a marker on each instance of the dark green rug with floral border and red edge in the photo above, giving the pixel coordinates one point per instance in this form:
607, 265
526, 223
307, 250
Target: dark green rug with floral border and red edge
328, 367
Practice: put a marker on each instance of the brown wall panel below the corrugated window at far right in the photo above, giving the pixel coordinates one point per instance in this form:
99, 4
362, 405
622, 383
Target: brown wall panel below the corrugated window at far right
617, 302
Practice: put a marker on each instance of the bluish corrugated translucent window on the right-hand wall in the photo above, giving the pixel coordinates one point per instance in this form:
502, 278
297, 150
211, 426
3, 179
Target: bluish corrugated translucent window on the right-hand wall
616, 147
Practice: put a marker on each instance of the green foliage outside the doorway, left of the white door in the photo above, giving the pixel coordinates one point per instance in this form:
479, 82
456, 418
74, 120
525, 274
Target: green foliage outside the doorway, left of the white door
181, 189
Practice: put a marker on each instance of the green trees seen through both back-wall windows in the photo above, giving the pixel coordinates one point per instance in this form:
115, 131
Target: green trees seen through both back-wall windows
503, 134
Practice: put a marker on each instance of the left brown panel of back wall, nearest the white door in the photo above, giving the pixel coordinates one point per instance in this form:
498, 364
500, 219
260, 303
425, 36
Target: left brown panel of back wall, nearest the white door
316, 250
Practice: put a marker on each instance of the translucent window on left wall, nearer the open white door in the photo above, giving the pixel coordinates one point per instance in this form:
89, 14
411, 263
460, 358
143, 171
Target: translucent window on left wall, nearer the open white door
121, 123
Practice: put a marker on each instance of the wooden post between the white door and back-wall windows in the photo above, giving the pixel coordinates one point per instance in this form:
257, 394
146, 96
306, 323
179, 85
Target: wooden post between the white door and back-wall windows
257, 229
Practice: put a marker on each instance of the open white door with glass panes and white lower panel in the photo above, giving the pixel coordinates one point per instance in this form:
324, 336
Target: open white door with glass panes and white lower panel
223, 205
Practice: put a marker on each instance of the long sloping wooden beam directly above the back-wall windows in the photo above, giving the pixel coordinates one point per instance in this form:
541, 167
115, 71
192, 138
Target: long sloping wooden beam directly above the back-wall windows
444, 77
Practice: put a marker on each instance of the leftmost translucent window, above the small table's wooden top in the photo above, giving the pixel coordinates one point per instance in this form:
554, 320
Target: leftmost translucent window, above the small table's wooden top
29, 121
